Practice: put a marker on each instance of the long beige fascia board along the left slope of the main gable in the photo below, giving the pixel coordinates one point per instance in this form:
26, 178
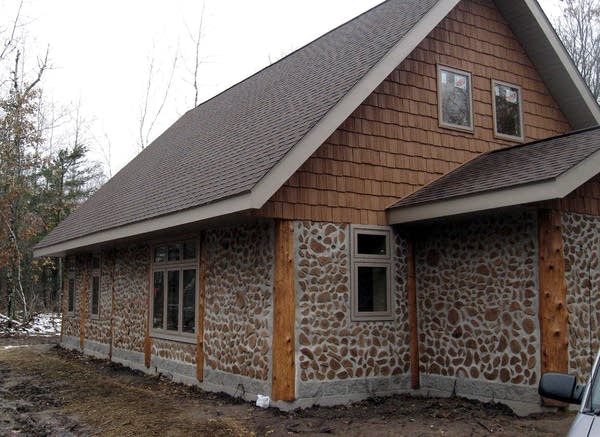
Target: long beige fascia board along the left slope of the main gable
304, 149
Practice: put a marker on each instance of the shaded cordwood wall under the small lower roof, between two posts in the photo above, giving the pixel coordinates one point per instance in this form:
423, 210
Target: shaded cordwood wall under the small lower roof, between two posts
477, 285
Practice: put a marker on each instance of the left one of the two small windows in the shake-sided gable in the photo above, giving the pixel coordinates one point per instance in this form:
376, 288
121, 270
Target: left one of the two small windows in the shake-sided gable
454, 99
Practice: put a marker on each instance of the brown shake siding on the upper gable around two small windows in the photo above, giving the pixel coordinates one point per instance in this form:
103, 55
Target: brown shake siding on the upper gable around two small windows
392, 144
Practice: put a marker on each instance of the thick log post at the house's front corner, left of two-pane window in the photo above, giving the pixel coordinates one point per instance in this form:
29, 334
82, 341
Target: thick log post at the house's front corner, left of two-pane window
284, 303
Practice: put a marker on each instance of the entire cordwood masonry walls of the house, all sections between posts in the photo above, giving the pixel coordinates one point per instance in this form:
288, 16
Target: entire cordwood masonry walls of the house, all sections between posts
477, 289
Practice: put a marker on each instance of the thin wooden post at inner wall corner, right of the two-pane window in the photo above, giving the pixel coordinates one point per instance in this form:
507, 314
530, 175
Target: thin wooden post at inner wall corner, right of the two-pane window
413, 316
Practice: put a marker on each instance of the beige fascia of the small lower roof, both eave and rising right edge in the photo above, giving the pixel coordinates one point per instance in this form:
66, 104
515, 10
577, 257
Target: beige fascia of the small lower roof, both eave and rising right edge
515, 195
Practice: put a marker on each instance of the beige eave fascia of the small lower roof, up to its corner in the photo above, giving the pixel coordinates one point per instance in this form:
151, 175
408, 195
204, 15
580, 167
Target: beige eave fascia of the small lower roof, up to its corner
479, 202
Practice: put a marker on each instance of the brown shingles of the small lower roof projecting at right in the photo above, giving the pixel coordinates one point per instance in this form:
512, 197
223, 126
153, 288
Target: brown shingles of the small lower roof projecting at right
504, 168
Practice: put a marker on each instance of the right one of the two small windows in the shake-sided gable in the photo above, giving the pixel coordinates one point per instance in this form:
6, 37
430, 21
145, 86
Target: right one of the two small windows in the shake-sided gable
508, 112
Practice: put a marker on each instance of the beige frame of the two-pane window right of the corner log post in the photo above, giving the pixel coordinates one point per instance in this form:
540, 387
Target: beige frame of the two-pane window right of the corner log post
370, 260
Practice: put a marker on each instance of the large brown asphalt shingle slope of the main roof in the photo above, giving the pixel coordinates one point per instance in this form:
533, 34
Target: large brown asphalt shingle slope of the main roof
223, 147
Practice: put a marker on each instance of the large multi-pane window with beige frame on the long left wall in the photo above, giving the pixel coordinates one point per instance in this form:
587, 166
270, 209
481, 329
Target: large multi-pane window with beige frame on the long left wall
174, 288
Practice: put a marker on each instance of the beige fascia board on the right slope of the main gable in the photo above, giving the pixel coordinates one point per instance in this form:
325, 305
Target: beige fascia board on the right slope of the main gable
564, 57
